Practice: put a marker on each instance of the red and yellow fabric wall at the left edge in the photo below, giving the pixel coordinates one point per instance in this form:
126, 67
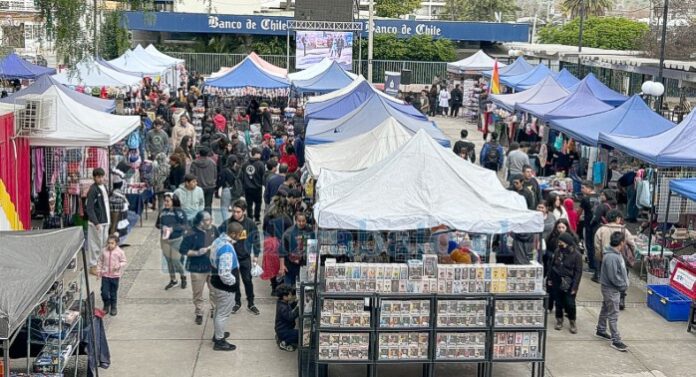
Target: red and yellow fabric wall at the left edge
15, 170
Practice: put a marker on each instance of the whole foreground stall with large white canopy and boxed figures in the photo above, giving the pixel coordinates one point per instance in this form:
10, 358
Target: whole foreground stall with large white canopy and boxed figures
419, 309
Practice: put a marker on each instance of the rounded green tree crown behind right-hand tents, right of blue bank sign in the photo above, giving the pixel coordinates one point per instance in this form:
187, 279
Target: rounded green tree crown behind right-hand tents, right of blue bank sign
613, 33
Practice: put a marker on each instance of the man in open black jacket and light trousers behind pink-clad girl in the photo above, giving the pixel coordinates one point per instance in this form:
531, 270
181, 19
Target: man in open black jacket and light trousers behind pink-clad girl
98, 214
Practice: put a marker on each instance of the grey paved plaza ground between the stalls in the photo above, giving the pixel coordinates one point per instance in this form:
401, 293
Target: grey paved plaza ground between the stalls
155, 334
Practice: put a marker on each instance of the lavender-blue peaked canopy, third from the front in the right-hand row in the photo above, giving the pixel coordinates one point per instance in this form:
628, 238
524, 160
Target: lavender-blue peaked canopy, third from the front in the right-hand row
579, 104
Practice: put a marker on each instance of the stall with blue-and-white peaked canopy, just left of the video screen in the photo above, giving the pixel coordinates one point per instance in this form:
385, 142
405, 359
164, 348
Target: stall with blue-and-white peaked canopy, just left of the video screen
253, 81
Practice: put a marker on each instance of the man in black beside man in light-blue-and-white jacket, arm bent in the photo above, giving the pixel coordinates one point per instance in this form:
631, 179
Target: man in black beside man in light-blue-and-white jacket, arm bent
248, 248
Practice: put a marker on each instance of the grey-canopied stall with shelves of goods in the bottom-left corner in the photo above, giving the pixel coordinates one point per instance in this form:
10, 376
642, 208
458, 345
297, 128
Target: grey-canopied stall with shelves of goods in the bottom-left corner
45, 301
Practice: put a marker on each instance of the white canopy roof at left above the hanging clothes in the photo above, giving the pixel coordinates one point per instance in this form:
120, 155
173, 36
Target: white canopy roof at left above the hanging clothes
72, 124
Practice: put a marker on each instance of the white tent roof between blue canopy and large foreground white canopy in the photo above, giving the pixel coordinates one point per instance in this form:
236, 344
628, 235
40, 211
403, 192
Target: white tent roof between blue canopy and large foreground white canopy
359, 152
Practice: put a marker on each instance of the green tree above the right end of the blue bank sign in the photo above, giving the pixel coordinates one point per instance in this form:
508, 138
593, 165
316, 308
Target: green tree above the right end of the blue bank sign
480, 10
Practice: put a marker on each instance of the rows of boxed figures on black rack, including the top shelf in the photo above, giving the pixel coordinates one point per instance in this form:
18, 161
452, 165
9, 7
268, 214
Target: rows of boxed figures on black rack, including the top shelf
497, 316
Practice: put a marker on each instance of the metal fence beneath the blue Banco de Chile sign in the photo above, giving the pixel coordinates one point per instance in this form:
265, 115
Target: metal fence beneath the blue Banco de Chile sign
421, 72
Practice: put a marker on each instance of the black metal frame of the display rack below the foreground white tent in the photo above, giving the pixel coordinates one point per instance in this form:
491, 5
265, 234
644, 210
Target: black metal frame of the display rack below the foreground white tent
374, 306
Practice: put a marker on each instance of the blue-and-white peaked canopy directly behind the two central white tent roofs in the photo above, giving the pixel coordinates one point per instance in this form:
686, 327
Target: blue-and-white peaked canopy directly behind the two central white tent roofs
364, 118
